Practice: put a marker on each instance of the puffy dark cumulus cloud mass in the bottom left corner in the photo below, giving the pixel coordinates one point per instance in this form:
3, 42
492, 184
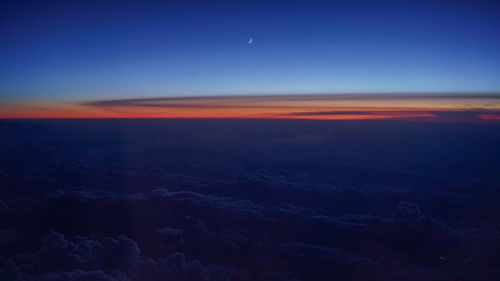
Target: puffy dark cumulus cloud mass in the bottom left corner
81, 258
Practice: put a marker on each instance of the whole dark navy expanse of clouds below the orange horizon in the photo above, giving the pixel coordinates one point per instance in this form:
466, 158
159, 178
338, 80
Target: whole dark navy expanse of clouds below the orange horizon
173, 200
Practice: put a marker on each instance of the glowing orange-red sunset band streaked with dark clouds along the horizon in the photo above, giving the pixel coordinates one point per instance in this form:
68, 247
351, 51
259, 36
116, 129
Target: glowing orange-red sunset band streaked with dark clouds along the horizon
461, 107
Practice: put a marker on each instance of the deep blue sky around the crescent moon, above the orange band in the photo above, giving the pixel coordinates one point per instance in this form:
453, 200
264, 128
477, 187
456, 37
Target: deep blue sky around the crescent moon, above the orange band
103, 49
